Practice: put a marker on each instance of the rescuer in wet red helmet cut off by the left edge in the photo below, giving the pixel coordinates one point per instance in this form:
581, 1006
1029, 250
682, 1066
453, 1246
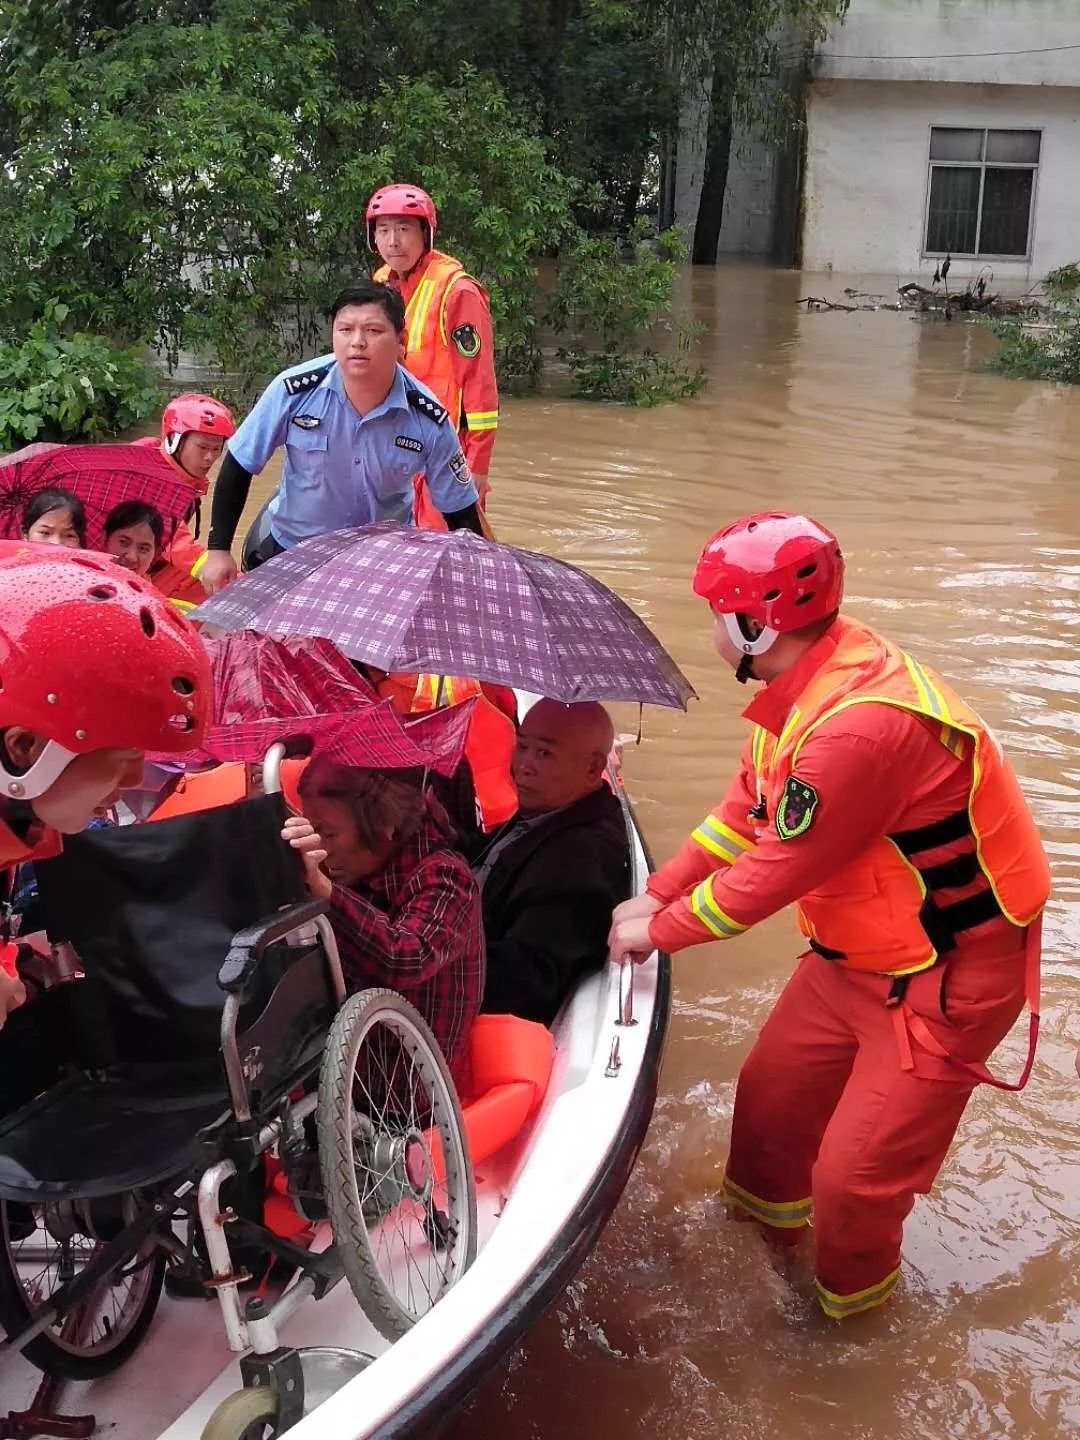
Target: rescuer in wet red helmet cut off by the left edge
96, 669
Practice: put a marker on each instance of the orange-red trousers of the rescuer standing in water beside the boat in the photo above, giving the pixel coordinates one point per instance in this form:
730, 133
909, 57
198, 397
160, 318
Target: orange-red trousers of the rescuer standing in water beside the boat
833, 1121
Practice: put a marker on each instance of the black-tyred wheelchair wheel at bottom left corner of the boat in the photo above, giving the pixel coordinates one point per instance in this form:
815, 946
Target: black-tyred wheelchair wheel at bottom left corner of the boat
74, 1359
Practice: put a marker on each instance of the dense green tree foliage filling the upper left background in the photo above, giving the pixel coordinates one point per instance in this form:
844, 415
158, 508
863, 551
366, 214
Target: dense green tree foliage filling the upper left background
192, 174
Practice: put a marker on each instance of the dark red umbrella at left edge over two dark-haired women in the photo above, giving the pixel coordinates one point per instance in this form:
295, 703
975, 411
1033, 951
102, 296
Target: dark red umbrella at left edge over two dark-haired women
102, 476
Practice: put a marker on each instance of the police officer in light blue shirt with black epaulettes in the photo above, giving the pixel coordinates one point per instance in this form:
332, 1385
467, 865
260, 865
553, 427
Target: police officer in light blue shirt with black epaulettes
356, 427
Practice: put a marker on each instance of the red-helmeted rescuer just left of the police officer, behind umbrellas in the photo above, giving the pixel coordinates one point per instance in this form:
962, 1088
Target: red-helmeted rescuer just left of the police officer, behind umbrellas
194, 434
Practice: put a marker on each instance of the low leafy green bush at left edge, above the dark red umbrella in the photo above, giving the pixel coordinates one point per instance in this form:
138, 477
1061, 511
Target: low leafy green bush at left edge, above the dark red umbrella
70, 388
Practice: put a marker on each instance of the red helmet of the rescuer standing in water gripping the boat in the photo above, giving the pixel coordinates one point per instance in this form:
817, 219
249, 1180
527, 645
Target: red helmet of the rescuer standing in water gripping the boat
775, 570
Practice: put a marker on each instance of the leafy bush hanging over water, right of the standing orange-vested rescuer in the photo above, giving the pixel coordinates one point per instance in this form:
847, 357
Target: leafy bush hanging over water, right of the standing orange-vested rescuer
617, 294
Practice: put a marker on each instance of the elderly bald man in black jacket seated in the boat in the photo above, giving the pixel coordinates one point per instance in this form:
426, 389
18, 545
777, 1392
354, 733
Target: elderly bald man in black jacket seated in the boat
551, 876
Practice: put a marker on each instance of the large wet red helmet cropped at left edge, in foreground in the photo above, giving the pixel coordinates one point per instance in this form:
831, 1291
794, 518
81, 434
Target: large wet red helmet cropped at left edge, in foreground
93, 659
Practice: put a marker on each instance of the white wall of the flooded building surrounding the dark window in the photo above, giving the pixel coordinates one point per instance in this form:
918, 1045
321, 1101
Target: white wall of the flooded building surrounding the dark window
868, 165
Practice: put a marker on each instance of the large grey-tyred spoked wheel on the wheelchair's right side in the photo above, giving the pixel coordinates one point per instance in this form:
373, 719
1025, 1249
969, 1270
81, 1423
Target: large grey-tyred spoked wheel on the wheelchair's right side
397, 1173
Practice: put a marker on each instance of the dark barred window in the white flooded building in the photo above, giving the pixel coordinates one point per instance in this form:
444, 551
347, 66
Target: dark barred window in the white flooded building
983, 185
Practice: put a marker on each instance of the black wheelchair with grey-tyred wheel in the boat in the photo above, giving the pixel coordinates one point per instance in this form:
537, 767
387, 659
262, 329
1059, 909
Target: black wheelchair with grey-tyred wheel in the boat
189, 1065
